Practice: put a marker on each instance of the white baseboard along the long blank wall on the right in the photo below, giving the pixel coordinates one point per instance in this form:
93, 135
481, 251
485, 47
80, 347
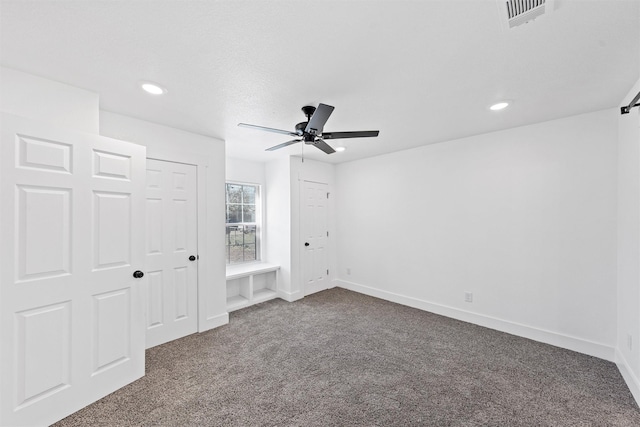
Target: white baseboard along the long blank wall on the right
579, 345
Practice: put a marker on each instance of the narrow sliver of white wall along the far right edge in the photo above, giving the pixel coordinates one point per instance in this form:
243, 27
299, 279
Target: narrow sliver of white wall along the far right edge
629, 244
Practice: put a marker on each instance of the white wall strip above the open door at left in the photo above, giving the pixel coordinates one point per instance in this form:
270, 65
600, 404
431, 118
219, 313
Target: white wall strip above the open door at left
33, 97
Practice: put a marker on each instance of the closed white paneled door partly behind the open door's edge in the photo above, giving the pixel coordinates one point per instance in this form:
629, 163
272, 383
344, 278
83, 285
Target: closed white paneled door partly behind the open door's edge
172, 266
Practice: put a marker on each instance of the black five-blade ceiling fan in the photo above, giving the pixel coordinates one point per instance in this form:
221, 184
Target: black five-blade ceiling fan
311, 131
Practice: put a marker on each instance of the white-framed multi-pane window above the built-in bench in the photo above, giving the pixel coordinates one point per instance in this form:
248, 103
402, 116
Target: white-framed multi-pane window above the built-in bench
242, 225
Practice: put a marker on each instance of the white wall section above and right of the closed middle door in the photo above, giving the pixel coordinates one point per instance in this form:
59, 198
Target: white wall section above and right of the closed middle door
208, 154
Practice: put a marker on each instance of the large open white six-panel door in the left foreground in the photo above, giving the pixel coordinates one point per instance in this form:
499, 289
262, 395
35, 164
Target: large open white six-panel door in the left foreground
72, 328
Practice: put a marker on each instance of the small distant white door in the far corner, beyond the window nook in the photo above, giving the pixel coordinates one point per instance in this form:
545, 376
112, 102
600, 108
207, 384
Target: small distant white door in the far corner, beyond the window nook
315, 233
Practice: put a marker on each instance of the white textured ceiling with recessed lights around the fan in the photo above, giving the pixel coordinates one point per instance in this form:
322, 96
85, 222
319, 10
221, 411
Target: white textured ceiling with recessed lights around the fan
419, 71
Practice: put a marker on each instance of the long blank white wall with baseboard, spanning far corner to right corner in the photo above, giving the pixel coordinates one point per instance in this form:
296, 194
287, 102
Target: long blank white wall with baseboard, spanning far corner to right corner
525, 219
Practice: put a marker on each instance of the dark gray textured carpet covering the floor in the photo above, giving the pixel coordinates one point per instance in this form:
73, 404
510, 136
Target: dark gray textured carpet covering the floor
338, 358
